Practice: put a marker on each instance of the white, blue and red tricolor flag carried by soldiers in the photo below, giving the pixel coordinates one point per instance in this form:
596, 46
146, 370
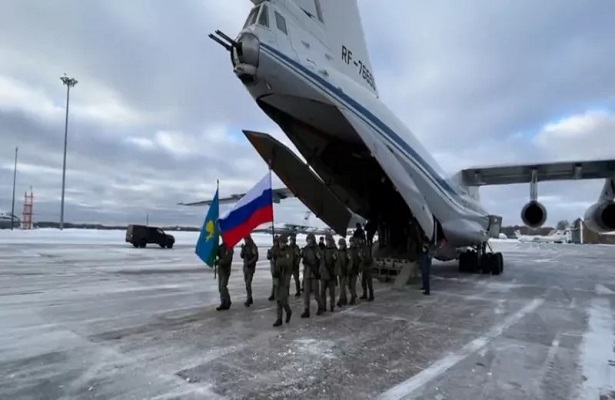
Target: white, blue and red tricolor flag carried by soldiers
253, 209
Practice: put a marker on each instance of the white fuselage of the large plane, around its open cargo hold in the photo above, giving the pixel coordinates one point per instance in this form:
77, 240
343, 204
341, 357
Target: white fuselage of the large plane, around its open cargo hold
352, 140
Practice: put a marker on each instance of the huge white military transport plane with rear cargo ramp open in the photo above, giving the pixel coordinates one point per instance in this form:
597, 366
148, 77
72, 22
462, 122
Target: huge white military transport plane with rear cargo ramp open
306, 64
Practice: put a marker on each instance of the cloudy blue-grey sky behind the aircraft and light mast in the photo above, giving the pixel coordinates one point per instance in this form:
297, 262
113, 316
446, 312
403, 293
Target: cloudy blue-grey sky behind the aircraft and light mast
157, 114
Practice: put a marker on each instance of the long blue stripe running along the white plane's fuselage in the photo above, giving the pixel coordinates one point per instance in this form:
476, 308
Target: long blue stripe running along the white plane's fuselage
464, 206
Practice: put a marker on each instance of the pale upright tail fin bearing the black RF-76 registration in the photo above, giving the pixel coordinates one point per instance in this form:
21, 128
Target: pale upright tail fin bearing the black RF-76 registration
345, 38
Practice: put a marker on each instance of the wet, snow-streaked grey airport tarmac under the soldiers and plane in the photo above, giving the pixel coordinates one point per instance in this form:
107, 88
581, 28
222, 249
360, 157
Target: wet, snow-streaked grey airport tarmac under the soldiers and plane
98, 320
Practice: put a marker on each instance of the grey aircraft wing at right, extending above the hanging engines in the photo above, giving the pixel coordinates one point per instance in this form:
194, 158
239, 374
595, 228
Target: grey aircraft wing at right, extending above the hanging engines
509, 174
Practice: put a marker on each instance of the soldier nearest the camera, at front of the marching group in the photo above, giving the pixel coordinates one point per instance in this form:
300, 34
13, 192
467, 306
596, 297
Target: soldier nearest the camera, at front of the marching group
282, 274
